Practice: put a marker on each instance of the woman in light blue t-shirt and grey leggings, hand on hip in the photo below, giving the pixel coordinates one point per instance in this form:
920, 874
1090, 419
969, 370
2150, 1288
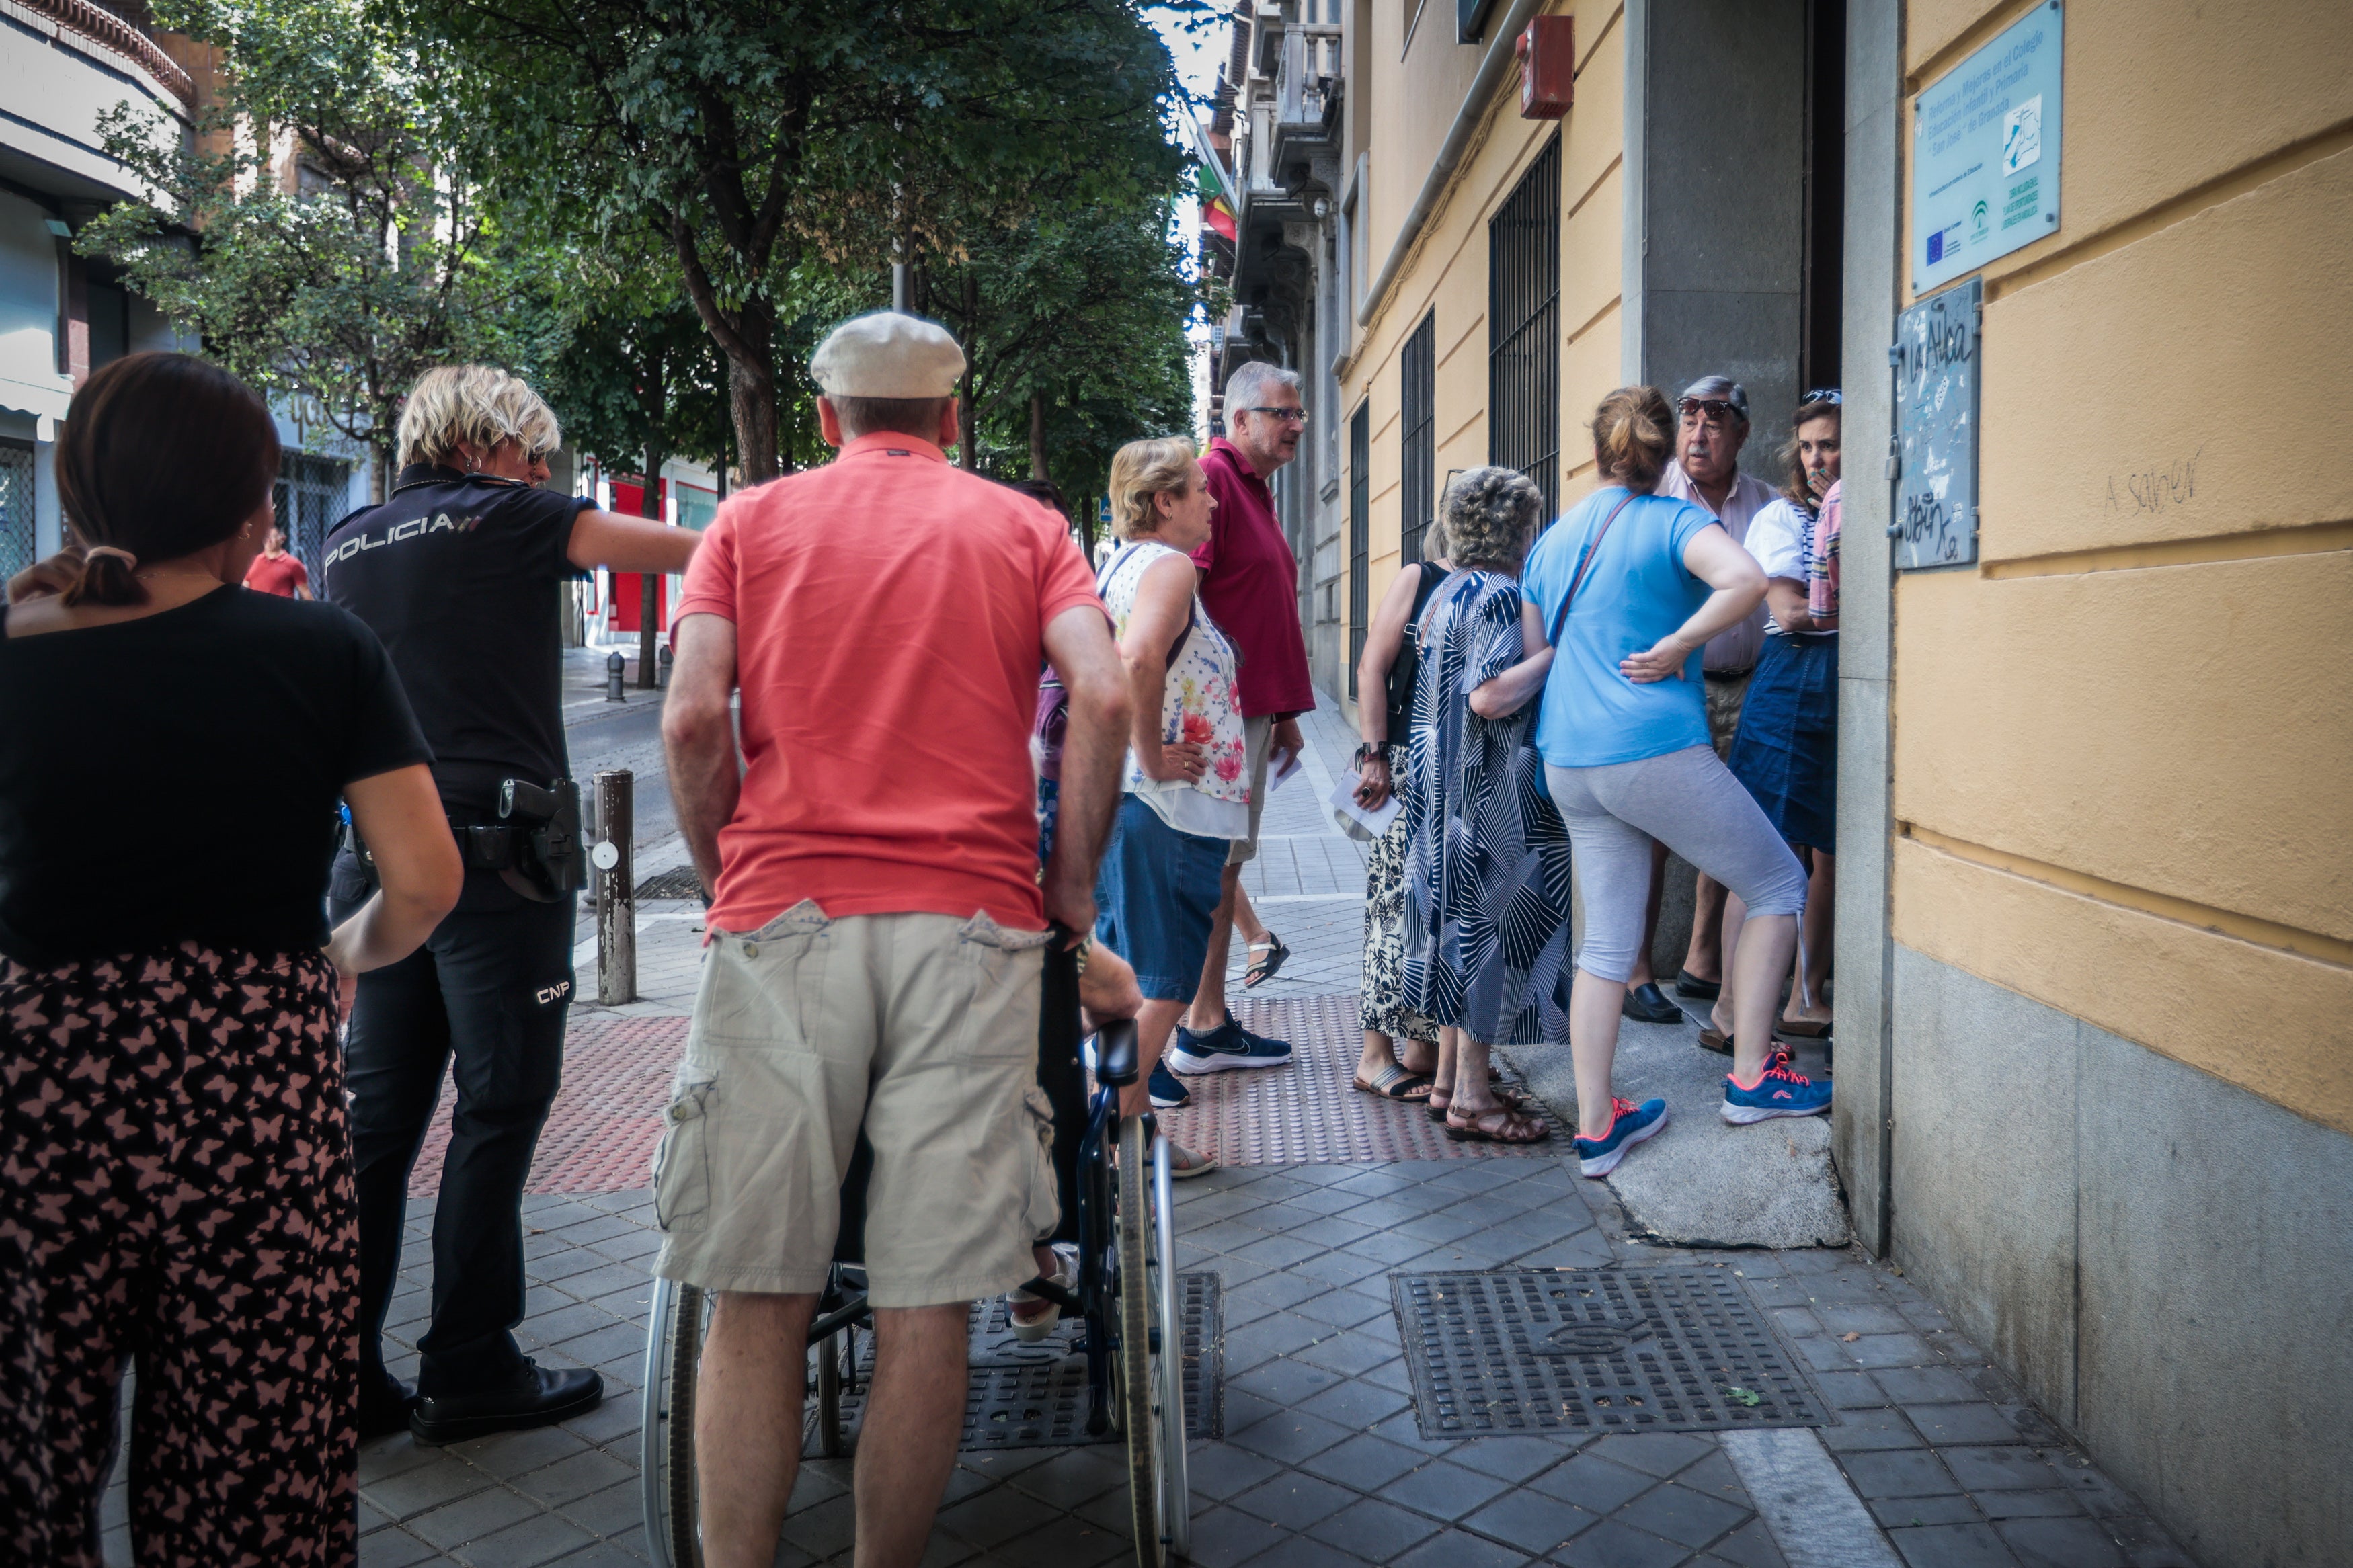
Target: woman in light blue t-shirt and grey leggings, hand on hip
1632, 587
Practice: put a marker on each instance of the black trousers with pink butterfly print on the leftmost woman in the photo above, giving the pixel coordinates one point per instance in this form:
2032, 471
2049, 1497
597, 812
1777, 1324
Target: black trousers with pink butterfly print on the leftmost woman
178, 1198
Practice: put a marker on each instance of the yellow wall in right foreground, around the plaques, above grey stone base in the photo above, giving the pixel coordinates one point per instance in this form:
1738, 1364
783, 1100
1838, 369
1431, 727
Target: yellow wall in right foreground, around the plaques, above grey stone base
2124, 739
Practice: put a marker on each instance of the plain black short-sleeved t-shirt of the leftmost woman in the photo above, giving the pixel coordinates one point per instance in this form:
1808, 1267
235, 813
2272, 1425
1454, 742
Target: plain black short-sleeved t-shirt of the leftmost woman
175, 779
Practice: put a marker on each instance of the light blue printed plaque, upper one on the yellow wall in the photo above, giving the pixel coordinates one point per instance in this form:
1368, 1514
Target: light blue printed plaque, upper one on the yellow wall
1987, 152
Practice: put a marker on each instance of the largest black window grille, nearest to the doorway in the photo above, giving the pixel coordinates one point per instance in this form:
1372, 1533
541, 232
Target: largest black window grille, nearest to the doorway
1524, 330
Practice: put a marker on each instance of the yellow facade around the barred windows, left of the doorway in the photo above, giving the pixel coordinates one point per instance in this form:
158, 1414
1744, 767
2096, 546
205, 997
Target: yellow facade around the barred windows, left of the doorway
1413, 95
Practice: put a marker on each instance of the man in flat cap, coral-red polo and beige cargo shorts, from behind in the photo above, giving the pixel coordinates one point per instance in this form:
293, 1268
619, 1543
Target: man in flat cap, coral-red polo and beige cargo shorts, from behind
876, 923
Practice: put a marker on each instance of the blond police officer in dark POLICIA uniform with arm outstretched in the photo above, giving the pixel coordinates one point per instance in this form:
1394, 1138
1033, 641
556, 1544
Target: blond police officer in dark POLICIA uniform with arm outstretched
460, 572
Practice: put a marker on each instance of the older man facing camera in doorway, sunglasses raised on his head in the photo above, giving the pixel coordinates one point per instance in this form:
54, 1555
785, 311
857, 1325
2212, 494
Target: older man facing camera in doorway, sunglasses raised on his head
1712, 427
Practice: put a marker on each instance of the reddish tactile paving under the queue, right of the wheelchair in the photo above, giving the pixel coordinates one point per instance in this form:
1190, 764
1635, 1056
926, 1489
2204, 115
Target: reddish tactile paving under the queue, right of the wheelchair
1307, 1113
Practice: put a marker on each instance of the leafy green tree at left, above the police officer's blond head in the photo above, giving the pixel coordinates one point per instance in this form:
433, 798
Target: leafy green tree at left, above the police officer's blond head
326, 229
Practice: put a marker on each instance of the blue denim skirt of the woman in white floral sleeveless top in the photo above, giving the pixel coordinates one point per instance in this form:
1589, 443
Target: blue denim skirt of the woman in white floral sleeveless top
1156, 897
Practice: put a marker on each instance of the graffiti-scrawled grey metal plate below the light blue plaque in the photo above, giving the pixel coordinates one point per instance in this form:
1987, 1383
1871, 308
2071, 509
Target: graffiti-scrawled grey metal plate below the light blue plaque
1935, 361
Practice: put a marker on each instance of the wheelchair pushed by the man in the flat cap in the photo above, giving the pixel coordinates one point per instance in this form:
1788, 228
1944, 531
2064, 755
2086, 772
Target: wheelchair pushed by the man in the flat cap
1114, 1174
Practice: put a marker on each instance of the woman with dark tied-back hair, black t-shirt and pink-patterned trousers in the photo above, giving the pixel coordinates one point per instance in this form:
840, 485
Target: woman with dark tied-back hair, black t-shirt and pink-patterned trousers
175, 1167
